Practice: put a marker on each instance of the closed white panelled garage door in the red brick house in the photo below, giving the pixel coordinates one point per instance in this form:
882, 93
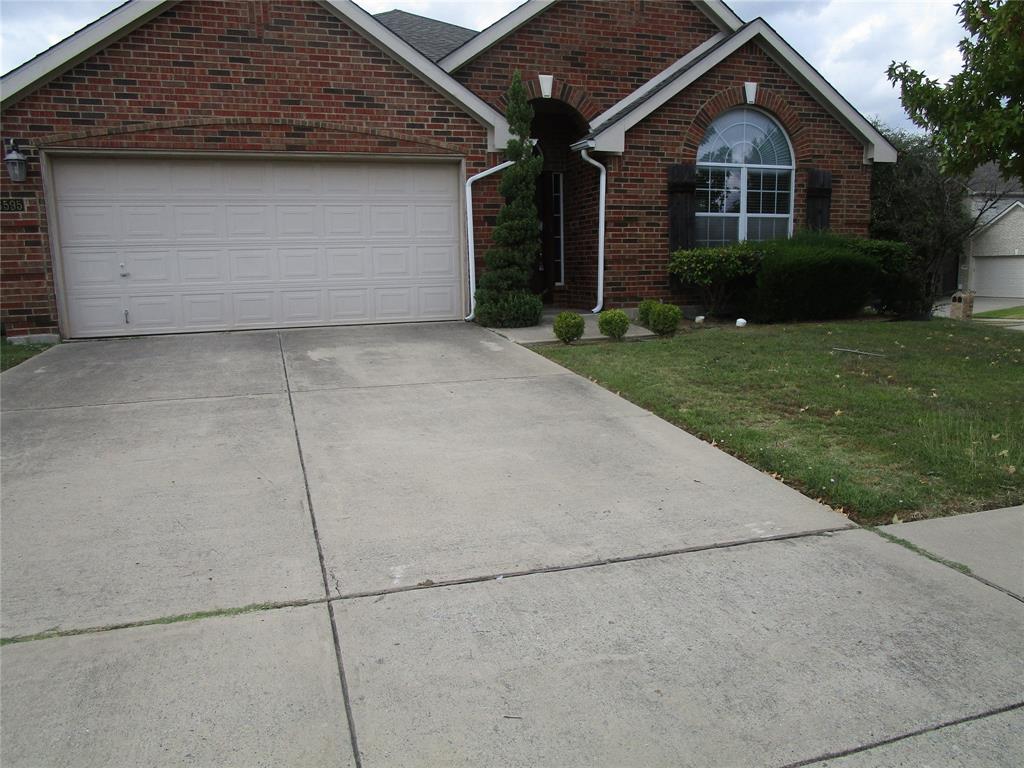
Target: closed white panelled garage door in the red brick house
158, 246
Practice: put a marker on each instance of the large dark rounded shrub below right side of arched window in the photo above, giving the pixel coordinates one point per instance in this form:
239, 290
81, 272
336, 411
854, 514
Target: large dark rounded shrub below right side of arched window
815, 277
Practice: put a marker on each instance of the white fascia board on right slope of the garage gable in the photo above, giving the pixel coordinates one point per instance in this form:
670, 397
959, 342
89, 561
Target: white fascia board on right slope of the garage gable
419, 65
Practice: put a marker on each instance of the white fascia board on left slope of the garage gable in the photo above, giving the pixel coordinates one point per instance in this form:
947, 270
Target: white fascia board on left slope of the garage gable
78, 48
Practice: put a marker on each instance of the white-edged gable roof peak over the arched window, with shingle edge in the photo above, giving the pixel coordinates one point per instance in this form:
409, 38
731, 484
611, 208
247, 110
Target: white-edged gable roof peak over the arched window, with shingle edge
609, 134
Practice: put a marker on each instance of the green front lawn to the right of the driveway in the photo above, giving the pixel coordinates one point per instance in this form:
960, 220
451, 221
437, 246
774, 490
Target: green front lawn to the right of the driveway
935, 426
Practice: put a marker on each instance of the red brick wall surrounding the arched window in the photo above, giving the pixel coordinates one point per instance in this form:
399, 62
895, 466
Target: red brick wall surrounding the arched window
637, 212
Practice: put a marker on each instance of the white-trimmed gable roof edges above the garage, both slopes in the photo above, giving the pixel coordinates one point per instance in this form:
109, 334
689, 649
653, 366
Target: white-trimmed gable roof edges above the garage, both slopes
134, 14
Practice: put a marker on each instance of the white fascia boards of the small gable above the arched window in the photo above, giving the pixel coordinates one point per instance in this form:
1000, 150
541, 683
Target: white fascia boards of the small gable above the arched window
877, 149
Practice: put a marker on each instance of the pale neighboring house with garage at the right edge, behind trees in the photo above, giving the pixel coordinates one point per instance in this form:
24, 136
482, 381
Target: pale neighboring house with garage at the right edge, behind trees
994, 261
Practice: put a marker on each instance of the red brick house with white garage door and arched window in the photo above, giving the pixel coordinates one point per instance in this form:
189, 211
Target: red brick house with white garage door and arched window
204, 165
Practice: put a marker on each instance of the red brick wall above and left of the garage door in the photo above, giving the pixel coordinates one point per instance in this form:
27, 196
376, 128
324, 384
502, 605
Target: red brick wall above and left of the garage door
219, 76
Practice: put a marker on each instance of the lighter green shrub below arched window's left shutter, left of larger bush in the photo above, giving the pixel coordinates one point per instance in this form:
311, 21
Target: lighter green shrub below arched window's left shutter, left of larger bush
716, 272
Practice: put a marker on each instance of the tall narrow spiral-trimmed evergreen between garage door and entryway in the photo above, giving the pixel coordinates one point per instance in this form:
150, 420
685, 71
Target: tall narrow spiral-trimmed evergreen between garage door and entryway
503, 296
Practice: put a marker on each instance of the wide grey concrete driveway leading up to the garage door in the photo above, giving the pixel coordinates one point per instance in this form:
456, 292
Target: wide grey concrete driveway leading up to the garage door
424, 545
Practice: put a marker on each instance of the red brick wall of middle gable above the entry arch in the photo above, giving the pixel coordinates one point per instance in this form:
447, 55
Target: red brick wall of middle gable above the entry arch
600, 53
